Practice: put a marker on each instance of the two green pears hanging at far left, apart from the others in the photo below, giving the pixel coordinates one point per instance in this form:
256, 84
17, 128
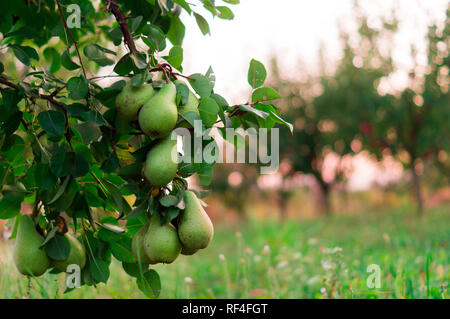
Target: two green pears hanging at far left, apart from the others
31, 259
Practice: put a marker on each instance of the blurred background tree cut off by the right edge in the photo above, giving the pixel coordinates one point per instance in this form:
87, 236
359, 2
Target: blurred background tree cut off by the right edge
418, 119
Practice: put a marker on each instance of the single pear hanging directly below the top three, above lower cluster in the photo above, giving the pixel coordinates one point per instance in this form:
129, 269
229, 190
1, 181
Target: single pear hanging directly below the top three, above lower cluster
161, 164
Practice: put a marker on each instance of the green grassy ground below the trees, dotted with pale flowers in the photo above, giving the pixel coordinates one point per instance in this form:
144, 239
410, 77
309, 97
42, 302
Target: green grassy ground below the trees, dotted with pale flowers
314, 258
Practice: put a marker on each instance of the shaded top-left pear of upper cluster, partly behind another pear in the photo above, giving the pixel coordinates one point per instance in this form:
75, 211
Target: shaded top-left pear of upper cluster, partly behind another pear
131, 98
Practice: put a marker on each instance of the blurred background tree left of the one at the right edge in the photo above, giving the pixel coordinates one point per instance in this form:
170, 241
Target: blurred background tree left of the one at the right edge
333, 114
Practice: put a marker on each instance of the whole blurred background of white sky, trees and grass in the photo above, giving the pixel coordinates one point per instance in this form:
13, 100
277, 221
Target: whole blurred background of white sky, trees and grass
364, 178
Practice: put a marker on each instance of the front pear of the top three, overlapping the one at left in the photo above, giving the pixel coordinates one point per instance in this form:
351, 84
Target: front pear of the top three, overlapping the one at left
158, 116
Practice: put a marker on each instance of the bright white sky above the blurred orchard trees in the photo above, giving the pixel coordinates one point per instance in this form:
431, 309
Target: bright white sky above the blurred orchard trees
291, 30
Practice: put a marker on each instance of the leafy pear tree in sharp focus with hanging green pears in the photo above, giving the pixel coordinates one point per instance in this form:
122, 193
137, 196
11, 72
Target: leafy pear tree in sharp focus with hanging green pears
98, 163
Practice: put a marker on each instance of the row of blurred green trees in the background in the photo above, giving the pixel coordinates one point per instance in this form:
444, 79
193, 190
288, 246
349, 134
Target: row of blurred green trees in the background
350, 107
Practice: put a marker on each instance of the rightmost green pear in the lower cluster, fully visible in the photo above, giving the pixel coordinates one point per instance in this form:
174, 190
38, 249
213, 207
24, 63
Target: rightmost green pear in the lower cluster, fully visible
195, 229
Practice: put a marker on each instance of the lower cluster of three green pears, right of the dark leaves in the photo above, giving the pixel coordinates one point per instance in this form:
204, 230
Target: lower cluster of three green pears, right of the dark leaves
157, 242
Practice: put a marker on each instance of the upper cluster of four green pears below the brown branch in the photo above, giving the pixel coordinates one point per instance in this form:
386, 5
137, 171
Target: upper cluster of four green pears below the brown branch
157, 116
